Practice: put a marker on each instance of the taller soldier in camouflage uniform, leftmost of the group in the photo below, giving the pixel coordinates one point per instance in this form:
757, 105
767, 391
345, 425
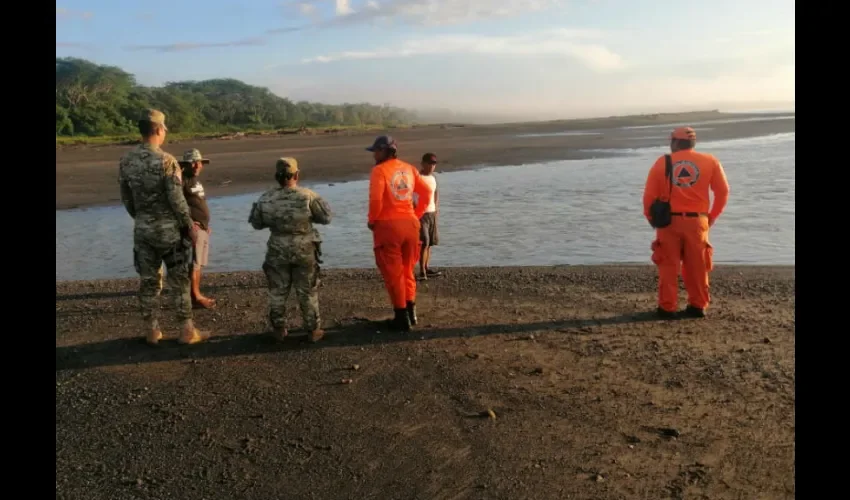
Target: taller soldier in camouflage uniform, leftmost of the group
152, 192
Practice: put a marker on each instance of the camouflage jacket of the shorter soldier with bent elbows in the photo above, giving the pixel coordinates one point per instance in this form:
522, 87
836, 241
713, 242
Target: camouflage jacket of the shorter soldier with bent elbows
290, 214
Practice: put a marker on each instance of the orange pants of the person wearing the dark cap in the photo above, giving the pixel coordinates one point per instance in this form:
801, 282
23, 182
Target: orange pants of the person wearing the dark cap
396, 244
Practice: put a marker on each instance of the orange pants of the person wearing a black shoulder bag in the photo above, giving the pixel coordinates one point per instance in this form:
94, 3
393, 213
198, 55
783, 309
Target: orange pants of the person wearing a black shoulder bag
683, 243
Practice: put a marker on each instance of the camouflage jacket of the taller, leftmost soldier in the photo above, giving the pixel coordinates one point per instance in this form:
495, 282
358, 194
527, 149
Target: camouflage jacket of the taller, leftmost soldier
152, 192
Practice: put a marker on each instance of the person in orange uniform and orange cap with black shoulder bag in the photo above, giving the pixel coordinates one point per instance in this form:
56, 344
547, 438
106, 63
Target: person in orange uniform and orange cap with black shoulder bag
684, 242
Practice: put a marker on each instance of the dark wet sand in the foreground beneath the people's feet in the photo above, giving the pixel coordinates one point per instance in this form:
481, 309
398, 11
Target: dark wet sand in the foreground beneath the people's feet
593, 397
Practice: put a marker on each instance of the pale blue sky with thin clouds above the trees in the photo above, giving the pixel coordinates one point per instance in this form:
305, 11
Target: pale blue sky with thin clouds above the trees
526, 58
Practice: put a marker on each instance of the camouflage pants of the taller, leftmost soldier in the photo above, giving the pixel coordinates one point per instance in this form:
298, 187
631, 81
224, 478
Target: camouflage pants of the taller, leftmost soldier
148, 260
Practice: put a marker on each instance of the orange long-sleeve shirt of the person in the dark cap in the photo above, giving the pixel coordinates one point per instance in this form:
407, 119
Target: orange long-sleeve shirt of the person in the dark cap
391, 188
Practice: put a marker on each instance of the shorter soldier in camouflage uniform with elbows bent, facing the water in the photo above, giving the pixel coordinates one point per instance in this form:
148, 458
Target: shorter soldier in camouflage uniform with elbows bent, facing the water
292, 254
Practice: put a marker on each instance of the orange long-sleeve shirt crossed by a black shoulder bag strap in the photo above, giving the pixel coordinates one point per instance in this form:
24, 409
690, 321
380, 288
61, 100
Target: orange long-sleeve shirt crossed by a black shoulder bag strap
694, 175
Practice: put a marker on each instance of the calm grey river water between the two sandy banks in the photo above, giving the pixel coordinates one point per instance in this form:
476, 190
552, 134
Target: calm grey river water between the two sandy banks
567, 212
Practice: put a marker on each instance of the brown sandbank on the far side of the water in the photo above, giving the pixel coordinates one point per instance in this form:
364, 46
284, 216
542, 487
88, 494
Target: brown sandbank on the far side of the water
86, 176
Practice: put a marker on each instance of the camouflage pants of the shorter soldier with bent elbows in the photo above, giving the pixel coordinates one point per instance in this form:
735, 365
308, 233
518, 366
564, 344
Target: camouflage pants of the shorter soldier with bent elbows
282, 275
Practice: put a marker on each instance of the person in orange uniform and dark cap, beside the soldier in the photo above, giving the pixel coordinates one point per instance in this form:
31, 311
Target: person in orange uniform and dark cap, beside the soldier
394, 223
